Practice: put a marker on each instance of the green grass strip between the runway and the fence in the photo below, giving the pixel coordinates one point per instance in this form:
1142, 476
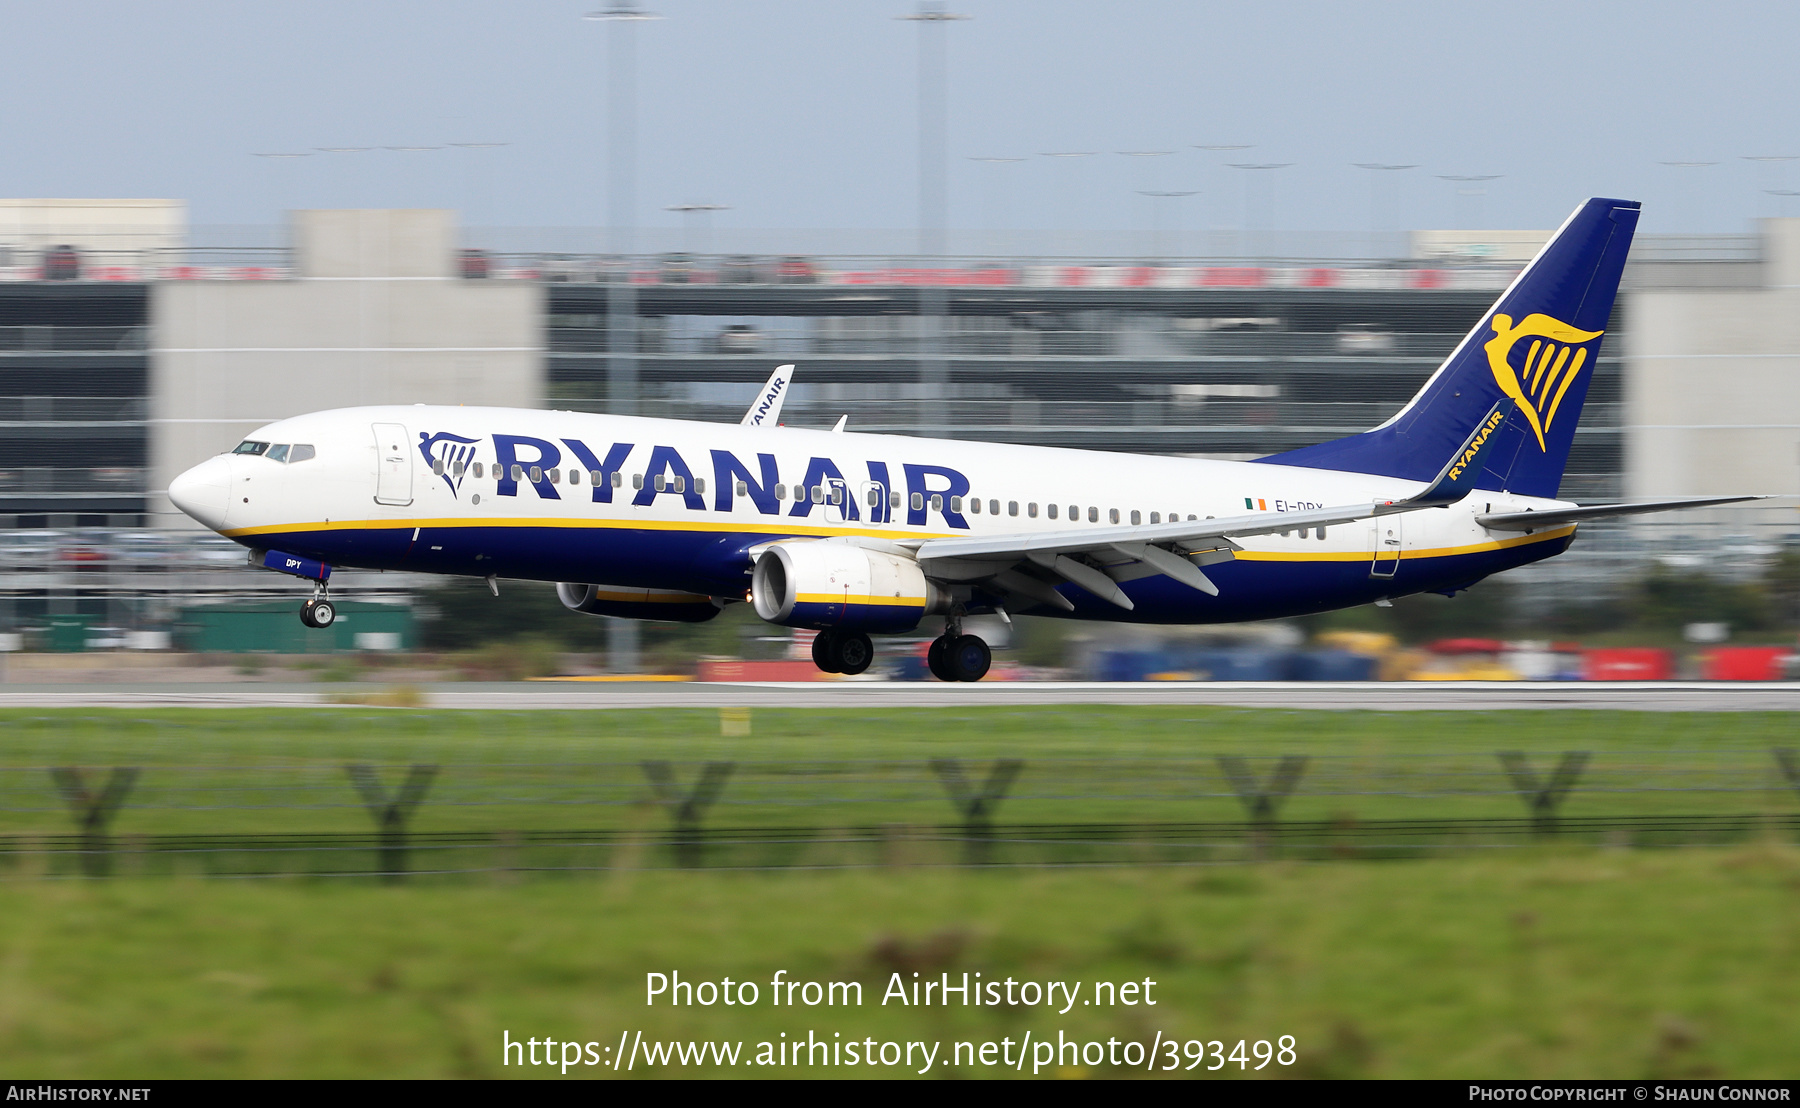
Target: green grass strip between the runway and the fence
267, 771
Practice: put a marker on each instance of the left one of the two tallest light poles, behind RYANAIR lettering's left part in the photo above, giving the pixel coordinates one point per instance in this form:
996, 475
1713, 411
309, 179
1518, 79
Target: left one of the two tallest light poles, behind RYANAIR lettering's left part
622, 296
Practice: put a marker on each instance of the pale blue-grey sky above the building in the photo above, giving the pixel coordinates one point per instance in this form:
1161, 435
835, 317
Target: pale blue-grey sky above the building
804, 112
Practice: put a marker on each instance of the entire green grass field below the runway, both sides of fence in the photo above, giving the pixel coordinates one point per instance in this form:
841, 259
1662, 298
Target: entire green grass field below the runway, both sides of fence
1531, 961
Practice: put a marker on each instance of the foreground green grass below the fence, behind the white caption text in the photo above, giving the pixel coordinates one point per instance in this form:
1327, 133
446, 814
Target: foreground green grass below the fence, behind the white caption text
1527, 963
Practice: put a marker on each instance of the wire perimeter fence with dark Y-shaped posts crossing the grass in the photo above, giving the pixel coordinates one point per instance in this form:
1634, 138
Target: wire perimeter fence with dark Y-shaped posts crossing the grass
364, 821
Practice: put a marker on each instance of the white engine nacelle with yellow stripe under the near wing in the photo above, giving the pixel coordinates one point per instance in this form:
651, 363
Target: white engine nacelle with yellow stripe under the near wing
838, 585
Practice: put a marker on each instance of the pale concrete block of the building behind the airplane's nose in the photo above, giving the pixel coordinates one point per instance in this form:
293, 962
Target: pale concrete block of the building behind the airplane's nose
375, 314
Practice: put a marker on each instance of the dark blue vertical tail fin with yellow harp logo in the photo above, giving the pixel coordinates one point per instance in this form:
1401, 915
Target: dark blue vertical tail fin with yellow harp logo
1538, 346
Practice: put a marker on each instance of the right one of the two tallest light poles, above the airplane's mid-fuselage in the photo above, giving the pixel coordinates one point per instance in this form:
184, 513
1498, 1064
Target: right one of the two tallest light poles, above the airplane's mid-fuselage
933, 206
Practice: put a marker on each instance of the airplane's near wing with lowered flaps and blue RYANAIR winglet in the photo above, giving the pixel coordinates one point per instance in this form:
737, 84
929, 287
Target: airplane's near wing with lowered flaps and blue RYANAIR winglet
1101, 558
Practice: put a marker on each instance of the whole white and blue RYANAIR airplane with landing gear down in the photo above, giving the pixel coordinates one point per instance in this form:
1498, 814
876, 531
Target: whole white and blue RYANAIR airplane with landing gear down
856, 535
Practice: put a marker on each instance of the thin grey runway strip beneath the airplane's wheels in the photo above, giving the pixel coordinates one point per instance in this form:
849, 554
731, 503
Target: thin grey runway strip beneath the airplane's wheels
1401, 697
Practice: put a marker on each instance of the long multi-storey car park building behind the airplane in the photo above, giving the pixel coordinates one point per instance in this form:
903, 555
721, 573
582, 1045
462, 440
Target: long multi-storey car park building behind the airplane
129, 355
